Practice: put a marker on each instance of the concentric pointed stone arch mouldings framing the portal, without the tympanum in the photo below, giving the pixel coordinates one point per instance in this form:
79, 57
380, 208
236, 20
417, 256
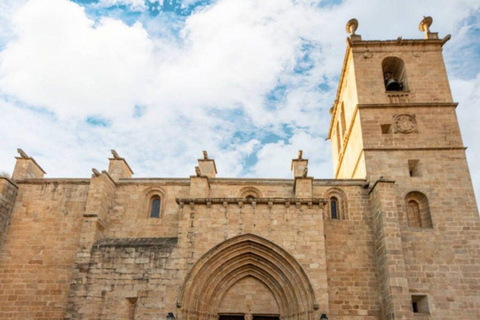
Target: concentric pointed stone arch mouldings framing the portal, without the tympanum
241, 257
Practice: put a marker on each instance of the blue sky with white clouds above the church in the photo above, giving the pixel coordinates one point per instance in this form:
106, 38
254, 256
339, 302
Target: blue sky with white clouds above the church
249, 81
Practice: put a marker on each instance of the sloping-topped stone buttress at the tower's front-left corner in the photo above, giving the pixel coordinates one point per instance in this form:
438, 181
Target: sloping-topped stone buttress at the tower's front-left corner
389, 253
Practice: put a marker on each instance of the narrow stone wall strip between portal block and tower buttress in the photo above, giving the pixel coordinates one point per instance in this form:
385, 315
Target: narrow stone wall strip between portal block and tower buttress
351, 269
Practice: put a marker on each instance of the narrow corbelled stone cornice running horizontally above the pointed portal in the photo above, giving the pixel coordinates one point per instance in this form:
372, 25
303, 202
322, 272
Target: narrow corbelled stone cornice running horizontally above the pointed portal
269, 201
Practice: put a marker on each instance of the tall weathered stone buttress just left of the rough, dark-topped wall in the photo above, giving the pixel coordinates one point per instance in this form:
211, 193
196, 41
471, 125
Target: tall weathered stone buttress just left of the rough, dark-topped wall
82, 303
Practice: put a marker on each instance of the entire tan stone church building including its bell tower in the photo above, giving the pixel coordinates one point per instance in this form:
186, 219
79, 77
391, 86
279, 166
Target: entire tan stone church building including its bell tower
396, 234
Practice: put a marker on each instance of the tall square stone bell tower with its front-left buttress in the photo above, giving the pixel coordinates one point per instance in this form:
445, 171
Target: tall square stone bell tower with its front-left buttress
394, 124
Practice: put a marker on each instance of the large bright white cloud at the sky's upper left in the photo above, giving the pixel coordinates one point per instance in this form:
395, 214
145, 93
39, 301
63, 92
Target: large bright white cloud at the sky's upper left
77, 69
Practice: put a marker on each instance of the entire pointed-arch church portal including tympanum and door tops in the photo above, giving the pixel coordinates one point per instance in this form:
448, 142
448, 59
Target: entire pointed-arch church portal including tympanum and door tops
247, 278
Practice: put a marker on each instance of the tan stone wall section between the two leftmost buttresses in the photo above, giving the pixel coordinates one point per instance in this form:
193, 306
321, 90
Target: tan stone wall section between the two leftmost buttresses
37, 256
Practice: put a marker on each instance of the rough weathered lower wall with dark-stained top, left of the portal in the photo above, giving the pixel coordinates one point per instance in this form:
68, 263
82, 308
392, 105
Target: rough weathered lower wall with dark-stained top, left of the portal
129, 279
